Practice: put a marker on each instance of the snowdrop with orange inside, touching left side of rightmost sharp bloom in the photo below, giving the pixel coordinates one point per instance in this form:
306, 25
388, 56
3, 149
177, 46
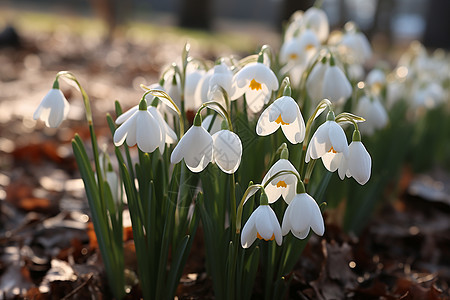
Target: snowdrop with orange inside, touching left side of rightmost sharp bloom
329, 143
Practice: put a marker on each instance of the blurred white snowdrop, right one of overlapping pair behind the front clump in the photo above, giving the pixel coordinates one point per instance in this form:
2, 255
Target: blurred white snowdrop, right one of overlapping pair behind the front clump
335, 87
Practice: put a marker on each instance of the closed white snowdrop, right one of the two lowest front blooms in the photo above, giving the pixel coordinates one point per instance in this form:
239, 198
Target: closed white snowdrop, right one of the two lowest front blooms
301, 215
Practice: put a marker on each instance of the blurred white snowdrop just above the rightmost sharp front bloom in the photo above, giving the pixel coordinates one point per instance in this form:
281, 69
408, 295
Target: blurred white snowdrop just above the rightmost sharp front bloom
373, 111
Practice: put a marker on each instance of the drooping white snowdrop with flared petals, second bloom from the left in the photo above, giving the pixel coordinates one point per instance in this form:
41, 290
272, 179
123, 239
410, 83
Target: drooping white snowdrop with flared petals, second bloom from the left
141, 128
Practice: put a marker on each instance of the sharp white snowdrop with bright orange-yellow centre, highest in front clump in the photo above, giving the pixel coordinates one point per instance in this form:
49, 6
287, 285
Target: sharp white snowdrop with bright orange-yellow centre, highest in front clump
257, 81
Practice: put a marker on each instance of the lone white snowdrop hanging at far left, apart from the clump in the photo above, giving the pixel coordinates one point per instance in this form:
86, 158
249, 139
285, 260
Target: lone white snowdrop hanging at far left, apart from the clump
53, 109
